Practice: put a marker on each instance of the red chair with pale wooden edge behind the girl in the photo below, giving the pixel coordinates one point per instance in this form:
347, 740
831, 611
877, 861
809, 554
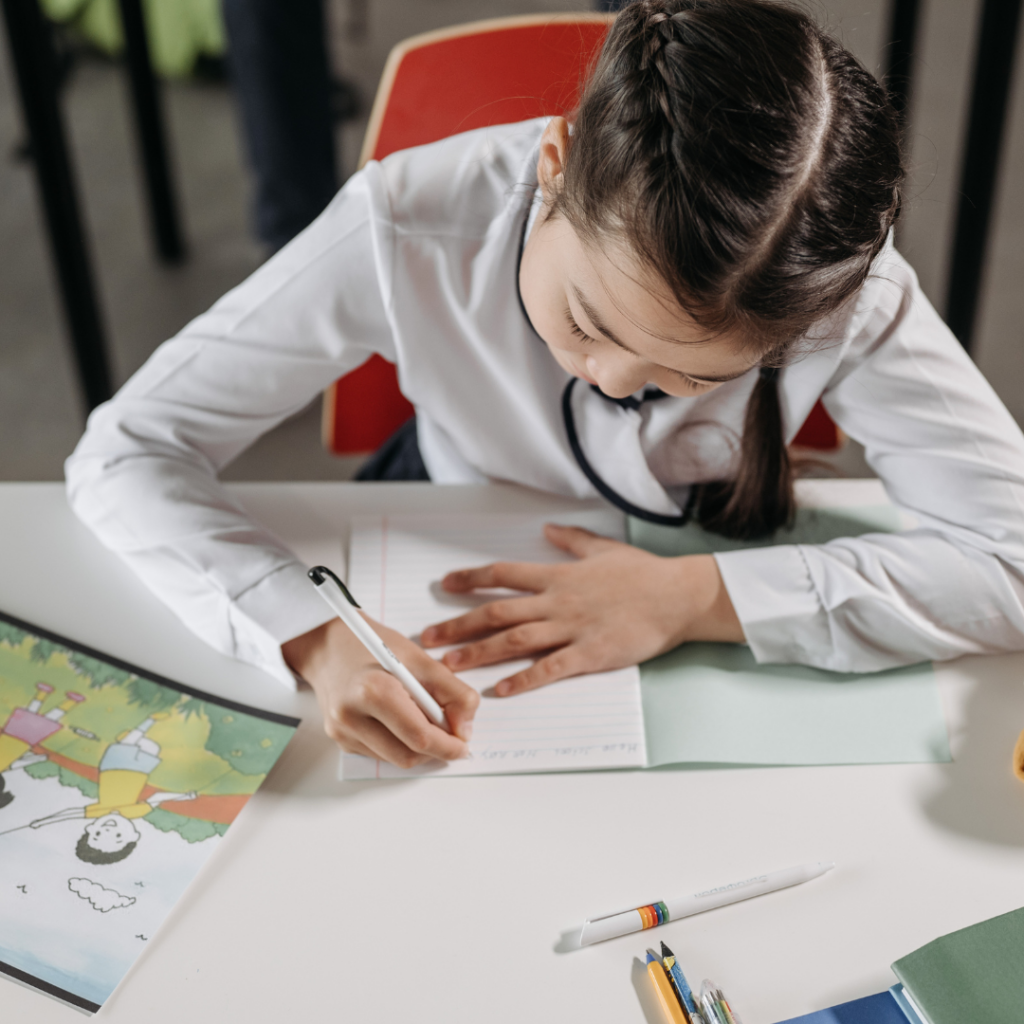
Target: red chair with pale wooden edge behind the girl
440, 84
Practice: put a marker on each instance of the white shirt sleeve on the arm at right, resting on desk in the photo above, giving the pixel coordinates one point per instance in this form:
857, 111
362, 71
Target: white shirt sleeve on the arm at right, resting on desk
948, 452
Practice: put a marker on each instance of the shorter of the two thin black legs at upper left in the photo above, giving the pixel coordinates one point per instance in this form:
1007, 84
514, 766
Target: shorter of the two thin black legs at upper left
164, 219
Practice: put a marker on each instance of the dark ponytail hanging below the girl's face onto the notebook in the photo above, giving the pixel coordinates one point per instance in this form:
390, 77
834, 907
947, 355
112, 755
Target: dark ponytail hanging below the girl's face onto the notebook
760, 501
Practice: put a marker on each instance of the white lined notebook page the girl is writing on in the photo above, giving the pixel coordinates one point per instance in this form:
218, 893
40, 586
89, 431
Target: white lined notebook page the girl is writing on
595, 721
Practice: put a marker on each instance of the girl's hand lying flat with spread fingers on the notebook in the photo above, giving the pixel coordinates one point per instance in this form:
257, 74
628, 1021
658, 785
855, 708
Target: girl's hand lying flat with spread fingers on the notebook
616, 607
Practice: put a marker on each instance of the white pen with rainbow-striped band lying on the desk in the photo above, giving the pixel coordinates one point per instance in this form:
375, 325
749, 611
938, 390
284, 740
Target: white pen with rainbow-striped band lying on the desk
625, 922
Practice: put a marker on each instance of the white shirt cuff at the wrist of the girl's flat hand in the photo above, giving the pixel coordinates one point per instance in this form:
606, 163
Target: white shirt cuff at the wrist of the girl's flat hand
779, 609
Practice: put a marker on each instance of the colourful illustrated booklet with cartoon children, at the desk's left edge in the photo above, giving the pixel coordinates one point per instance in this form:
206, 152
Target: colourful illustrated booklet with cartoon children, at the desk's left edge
115, 789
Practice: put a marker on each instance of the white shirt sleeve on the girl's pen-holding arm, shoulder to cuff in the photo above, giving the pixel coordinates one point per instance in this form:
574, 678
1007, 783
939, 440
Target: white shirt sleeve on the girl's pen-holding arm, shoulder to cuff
145, 476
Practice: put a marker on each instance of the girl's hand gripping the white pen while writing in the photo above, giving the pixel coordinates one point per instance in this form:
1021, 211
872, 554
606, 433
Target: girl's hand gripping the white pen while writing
367, 710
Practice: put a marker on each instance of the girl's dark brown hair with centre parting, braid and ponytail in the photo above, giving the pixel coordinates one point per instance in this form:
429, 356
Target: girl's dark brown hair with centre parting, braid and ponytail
754, 165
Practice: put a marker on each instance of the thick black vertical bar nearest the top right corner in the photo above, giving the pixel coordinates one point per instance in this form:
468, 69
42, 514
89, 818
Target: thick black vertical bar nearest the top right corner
993, 73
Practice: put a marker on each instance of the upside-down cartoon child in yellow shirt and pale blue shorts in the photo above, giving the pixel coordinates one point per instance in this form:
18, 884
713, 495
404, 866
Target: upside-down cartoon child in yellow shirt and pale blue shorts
124, 770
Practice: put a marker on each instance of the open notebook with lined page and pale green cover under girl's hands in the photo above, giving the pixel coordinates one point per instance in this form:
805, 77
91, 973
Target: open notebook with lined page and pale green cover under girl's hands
702, 705
